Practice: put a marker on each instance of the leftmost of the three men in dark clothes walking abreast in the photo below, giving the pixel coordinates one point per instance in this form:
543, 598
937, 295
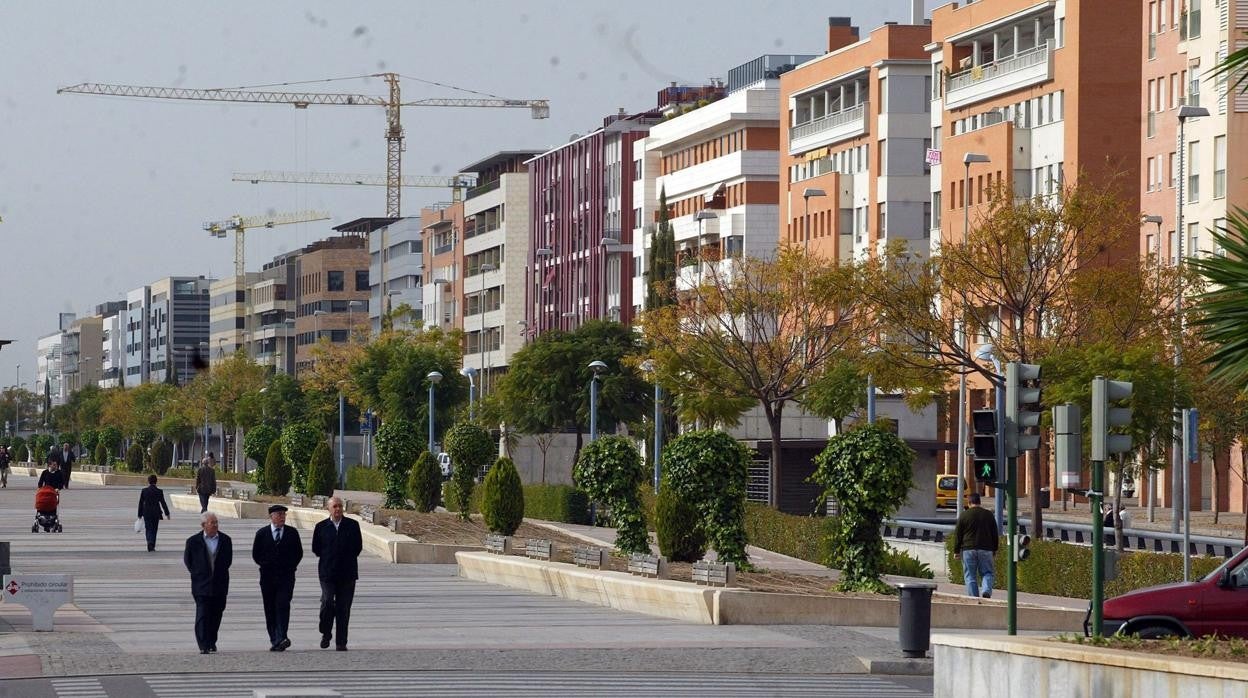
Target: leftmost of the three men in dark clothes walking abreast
208, 558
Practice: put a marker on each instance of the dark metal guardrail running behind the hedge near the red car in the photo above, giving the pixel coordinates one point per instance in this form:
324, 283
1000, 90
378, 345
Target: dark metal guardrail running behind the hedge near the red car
1080, 534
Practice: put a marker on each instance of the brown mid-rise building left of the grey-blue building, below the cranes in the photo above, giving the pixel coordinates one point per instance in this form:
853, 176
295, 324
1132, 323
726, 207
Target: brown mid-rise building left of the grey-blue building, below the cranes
333, 294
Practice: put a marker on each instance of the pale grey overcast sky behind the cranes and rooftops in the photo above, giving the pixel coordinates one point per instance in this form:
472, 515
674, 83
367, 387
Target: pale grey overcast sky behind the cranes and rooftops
100, 195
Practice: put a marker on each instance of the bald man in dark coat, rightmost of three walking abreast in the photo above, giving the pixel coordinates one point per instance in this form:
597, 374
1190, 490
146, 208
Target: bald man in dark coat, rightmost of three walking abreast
338, 544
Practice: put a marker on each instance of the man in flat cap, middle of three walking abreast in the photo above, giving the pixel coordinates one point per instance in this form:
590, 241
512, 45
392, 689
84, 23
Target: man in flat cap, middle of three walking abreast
278, 551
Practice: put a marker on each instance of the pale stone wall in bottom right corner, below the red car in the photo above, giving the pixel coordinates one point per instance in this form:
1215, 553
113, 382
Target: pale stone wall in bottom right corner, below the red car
1026, 667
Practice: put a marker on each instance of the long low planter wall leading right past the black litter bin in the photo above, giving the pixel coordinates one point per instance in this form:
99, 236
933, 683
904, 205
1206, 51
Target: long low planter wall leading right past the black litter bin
690, 602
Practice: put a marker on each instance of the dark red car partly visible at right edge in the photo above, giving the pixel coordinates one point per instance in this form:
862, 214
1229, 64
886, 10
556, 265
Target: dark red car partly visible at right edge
1219, 604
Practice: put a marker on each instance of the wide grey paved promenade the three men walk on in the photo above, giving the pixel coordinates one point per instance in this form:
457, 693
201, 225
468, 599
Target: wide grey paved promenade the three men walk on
130, 632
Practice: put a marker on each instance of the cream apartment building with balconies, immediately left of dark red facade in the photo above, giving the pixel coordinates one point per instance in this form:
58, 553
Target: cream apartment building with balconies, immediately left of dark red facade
496, 244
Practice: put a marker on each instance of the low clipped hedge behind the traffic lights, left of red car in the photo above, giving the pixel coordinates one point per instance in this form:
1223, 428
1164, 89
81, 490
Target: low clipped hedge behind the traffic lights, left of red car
1058, 569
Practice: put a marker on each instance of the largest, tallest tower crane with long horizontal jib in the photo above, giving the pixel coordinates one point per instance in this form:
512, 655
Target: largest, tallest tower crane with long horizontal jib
394, 104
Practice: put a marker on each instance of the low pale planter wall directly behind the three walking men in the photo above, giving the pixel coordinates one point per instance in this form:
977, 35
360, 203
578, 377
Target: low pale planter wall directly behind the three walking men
379, 540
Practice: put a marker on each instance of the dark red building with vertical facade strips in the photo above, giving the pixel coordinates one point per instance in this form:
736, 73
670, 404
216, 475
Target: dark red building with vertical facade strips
581, 227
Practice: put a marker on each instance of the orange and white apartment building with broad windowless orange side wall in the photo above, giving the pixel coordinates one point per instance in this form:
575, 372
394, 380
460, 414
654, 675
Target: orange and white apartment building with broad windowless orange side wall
1040, 93
